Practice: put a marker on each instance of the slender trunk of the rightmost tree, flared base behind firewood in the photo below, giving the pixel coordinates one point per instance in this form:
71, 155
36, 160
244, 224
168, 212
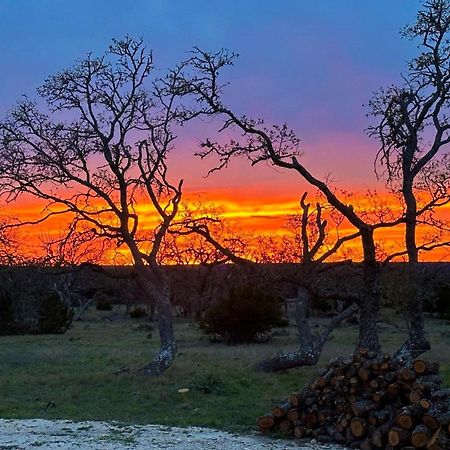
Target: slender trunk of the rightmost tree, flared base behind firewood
417, 343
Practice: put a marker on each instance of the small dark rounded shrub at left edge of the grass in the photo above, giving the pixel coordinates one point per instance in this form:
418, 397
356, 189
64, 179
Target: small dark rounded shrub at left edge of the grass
55, 317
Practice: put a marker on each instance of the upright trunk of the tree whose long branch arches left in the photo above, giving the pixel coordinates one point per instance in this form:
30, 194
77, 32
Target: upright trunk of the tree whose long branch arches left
370, 304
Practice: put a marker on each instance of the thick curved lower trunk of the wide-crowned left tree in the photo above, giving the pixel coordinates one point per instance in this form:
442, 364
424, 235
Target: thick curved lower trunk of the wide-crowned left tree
159, 292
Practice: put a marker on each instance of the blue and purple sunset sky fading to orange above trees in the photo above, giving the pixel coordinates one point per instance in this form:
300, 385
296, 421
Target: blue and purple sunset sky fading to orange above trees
313, 64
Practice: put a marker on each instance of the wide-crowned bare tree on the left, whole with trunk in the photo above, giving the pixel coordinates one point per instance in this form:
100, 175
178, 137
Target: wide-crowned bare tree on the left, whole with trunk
101, 149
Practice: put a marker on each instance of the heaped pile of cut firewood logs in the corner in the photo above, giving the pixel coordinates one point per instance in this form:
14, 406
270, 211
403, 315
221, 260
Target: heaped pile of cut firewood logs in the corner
369, 402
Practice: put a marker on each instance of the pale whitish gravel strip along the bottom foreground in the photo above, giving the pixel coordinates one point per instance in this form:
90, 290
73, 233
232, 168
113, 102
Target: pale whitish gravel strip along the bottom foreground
62, 434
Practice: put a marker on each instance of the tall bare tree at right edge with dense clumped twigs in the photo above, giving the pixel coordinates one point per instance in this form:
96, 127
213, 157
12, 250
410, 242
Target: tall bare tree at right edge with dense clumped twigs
414, 130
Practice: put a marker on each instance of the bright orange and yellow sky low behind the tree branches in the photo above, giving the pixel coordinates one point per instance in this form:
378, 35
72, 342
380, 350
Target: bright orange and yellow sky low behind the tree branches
246, 210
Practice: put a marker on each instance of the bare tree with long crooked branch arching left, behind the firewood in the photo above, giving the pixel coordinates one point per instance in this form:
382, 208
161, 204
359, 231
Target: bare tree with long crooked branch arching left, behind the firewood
279, 146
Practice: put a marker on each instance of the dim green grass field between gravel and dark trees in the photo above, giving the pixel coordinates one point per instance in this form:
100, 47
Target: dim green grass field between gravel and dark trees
73, 375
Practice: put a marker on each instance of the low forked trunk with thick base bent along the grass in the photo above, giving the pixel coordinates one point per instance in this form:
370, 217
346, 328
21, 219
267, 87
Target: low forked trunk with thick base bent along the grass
311, 345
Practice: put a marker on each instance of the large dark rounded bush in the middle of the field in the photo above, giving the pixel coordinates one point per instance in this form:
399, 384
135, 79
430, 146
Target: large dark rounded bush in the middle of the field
240, 317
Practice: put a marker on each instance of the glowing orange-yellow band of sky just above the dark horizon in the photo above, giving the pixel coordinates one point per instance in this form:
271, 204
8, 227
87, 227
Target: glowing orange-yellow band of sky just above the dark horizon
245, 215
